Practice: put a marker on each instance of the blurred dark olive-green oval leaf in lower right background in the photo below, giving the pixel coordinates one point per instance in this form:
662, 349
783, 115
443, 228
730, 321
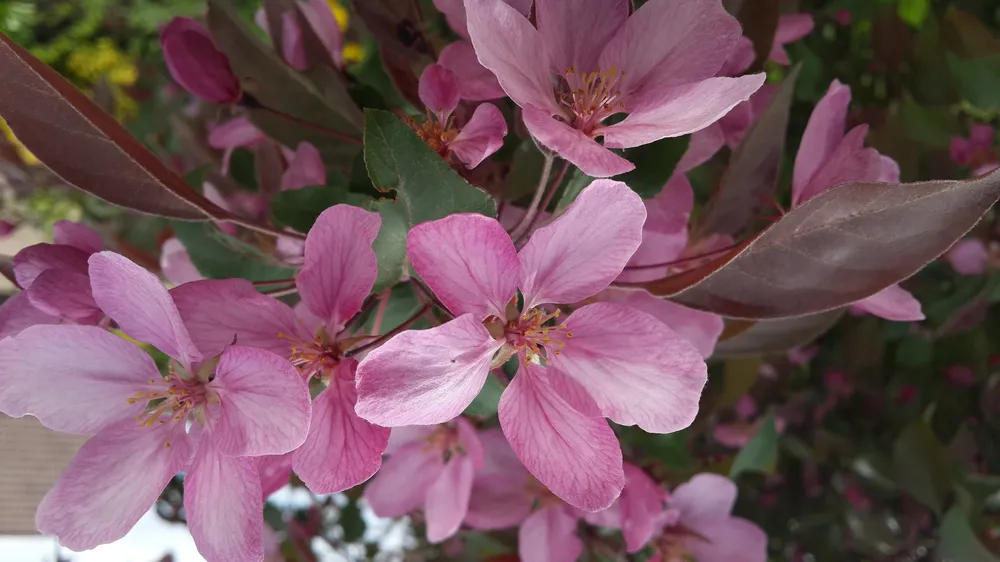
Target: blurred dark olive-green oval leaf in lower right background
921, 465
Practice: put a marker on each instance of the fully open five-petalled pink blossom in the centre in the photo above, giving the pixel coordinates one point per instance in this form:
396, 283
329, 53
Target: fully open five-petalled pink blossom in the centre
605, 360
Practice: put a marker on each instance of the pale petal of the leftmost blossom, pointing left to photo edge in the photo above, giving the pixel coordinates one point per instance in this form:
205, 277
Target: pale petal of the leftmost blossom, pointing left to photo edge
76, 379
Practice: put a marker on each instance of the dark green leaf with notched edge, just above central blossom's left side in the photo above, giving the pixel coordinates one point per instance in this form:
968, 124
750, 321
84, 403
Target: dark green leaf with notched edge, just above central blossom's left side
426, 189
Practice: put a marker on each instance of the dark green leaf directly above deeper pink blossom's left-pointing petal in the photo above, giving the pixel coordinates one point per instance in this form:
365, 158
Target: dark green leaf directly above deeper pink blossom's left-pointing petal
219, 256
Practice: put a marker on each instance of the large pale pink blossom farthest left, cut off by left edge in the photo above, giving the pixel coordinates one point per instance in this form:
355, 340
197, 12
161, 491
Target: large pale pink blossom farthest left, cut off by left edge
244, 403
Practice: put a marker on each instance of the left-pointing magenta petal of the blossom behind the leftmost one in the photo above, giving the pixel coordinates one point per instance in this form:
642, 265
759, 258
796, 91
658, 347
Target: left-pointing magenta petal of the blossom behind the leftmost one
218, 313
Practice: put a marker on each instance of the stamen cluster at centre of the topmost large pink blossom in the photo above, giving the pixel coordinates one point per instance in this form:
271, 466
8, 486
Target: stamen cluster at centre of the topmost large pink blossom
592, 97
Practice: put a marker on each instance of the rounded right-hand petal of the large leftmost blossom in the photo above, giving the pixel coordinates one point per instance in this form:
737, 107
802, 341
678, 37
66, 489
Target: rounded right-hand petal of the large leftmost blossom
263, 404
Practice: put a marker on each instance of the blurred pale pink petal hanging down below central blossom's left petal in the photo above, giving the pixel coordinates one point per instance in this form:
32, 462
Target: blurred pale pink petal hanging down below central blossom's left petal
448, 498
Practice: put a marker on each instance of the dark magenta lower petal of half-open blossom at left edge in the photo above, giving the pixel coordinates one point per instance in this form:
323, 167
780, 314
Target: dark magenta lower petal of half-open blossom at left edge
65, 294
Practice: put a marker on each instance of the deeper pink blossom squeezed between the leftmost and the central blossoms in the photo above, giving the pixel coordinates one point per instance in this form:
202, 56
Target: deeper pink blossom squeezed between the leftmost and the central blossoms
341, 450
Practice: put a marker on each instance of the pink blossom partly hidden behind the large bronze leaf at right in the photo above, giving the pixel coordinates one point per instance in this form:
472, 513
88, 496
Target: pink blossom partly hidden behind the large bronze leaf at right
827, 158
